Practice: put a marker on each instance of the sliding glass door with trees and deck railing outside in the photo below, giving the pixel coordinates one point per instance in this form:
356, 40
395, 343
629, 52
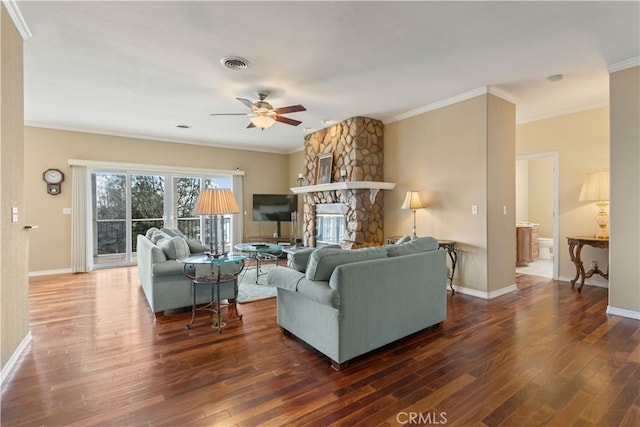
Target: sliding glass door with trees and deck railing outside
128, 203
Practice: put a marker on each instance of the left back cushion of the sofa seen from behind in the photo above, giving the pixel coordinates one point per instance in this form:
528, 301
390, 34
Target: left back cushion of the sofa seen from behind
324, 260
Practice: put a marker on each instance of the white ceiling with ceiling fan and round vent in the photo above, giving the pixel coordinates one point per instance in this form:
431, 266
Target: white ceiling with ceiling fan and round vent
141, 68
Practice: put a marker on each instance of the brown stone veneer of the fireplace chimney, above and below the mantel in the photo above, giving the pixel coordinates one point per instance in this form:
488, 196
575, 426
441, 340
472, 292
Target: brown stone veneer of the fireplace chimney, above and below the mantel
357, 147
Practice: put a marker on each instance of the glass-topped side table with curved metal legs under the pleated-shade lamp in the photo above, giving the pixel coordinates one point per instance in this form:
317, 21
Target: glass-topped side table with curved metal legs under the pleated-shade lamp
234, 264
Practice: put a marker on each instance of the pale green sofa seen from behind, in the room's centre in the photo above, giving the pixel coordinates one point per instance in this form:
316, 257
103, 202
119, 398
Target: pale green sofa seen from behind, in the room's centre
345, 303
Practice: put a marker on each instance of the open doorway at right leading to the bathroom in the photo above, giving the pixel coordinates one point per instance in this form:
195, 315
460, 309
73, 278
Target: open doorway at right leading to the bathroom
537, 204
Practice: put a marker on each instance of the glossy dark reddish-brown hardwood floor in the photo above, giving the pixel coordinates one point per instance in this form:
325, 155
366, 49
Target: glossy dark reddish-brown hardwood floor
543, 355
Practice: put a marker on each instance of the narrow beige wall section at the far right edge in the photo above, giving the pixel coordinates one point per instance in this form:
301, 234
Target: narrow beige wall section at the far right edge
624, 291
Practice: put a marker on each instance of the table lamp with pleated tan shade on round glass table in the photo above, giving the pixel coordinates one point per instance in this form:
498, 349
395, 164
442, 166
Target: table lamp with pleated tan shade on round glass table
214, 202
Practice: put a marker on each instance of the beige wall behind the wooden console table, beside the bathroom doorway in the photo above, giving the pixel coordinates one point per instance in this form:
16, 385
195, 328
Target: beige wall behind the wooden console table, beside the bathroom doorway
582, 141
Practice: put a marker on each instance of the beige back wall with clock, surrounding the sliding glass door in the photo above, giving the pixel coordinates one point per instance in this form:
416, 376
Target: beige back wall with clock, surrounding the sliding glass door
48, 148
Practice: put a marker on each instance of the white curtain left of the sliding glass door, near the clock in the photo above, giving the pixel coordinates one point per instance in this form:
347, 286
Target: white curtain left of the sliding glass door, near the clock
80, 246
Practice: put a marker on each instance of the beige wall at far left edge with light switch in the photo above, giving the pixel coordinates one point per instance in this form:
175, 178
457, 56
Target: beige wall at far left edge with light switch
14, 315
